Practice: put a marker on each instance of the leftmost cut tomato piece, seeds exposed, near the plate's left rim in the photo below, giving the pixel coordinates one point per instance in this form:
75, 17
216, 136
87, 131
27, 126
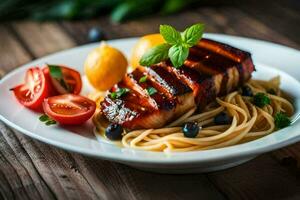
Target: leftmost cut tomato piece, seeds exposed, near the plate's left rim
32, 93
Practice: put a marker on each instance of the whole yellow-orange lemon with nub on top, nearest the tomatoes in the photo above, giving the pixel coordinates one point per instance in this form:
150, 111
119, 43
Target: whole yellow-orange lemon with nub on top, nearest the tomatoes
105, 66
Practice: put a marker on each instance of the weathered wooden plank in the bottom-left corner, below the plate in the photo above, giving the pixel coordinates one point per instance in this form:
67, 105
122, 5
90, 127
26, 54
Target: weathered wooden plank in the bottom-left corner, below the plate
18, 169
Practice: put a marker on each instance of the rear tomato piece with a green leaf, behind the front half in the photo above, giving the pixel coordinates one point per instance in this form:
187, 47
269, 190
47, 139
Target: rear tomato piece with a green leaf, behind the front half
69, 83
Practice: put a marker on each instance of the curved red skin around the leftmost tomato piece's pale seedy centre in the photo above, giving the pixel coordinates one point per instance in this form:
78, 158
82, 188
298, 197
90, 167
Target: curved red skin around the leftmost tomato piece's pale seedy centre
35, 104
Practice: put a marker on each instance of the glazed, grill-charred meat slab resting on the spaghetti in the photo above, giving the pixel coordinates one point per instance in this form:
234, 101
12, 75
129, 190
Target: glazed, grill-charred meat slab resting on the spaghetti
212, 69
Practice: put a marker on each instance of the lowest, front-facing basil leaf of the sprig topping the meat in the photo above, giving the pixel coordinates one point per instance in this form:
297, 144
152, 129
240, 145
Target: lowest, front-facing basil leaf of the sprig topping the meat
178, 55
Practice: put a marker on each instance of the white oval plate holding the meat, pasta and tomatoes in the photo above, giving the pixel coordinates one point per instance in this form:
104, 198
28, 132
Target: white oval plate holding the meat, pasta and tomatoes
269, 59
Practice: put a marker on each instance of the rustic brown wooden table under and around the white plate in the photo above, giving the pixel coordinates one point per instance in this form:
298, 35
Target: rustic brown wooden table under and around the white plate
30, 169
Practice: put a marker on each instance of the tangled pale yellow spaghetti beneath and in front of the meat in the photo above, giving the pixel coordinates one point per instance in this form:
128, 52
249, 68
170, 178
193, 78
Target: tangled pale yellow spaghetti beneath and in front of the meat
249, 122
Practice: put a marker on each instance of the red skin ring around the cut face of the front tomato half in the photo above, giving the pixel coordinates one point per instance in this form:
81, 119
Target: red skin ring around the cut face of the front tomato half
69, 119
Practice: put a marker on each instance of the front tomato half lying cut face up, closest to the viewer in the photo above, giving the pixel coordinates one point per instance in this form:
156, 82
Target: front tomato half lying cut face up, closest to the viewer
69, 108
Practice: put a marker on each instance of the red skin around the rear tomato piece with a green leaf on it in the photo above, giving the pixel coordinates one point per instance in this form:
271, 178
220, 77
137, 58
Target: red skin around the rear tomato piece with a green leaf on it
76, 75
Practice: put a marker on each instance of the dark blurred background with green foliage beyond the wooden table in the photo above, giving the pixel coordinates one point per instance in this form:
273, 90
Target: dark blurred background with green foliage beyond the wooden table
280, 15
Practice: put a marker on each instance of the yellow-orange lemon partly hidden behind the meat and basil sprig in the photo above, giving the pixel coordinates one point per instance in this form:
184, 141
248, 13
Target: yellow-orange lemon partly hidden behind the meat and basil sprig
144, 43
